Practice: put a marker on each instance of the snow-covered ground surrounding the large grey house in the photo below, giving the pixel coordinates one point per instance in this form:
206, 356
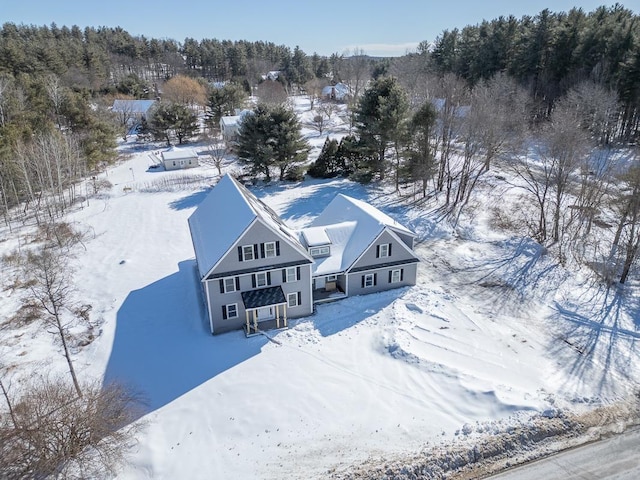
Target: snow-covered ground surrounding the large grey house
494, 334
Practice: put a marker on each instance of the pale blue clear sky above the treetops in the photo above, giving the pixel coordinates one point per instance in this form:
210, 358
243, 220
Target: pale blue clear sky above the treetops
379, 28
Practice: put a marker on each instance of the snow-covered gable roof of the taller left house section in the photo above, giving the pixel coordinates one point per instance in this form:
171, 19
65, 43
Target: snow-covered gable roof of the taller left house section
223, 216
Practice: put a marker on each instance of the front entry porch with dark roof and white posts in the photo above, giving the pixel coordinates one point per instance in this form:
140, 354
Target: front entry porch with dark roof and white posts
265, 309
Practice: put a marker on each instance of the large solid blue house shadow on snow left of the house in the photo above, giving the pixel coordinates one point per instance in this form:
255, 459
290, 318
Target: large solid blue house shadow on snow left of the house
163, 346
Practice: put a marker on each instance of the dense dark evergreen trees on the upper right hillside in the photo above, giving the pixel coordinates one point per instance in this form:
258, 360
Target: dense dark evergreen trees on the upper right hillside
550, 53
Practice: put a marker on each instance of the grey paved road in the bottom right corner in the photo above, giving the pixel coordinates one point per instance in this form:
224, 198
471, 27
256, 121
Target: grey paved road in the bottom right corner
614, 458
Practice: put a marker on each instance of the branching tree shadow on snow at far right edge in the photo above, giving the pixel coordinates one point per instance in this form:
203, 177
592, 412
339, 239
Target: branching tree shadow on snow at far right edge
598, 336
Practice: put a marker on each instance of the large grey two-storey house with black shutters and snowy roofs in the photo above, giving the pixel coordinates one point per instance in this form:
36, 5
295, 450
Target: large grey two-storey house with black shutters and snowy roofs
256, 273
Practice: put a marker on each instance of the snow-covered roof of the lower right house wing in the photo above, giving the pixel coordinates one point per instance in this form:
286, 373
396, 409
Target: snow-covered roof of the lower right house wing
351, 226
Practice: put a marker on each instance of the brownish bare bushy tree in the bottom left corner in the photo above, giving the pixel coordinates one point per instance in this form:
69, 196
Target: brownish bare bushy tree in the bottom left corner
51, 433
